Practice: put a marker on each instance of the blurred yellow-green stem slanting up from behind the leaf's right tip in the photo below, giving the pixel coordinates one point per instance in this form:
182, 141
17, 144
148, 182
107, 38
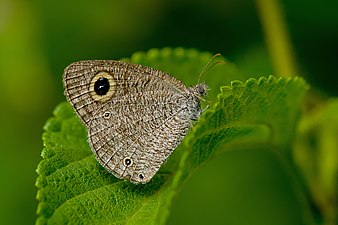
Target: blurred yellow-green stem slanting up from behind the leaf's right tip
277, 37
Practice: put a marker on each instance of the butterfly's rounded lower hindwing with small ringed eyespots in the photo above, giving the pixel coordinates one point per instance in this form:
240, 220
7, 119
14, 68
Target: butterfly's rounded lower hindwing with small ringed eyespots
133, 136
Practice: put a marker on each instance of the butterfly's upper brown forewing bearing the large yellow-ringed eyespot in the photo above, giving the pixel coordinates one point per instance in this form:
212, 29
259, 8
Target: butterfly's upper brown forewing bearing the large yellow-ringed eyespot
126, 79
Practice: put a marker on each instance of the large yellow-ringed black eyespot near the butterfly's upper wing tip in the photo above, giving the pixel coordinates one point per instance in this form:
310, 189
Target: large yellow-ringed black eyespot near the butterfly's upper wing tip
102, 87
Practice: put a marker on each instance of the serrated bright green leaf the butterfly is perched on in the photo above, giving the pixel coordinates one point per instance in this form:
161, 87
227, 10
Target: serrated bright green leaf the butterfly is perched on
74, 188
